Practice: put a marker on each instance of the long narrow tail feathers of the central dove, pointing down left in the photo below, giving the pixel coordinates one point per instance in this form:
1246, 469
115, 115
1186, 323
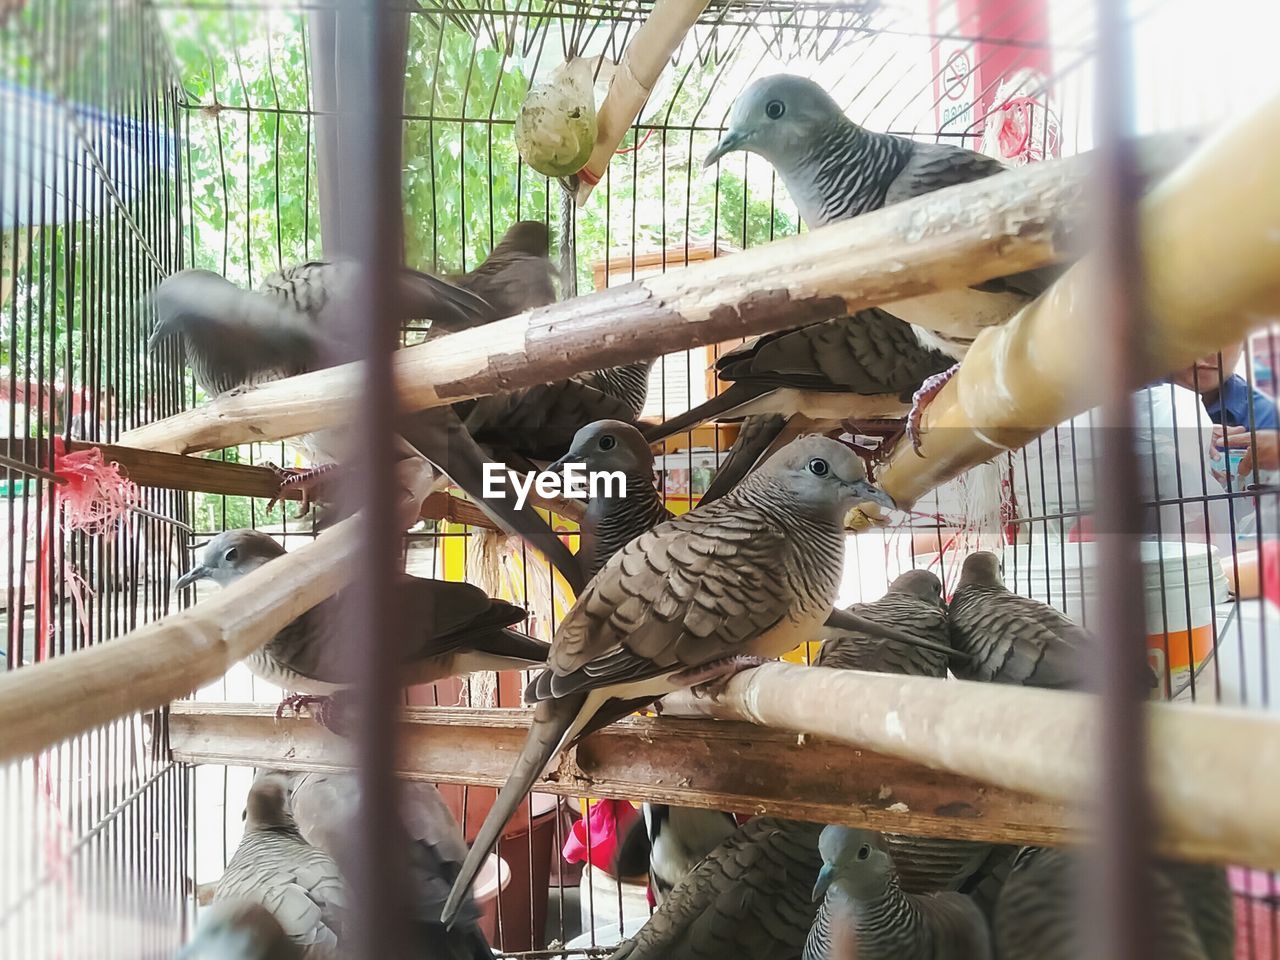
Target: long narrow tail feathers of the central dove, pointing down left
555, 723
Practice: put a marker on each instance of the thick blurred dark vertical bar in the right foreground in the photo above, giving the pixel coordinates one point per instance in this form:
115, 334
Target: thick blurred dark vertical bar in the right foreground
1119, 886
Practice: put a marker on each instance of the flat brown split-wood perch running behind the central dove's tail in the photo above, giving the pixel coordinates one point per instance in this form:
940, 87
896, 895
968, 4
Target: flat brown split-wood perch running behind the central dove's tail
691, 764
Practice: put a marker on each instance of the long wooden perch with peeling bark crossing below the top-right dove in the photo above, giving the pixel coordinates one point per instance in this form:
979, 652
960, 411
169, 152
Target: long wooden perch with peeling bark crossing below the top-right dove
966, 235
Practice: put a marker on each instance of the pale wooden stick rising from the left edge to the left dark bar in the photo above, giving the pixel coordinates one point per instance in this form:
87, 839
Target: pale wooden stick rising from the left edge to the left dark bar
47, 703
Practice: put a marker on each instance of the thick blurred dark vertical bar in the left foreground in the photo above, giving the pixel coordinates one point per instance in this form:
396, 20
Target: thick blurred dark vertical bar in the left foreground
369, 135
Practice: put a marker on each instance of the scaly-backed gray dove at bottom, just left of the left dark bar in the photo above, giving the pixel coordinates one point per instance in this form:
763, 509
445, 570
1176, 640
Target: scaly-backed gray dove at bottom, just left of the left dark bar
276, 867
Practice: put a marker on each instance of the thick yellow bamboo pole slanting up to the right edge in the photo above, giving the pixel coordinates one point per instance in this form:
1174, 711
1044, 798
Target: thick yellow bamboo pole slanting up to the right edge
1212, 253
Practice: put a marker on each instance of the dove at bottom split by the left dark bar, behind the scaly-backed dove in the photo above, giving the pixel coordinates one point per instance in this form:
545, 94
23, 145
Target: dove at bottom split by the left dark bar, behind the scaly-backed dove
324, 806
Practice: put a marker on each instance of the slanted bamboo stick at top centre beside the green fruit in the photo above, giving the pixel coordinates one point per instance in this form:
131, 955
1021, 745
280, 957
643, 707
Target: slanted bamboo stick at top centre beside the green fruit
644, 61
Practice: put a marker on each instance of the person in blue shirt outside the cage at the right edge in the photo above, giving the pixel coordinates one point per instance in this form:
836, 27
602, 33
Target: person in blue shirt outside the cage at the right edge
1238, 412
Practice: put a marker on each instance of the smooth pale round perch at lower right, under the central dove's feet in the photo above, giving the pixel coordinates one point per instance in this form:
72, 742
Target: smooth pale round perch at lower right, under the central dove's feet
1214, 772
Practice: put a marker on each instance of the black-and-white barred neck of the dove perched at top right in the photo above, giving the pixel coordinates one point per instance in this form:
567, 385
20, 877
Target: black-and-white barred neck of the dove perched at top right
845, 172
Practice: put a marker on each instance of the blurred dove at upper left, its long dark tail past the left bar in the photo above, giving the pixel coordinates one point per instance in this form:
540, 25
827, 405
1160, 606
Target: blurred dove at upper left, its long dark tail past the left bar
237, 339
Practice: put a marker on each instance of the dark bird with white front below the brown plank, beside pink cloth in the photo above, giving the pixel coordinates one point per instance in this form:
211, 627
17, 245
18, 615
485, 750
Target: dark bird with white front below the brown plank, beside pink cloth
668, 843
